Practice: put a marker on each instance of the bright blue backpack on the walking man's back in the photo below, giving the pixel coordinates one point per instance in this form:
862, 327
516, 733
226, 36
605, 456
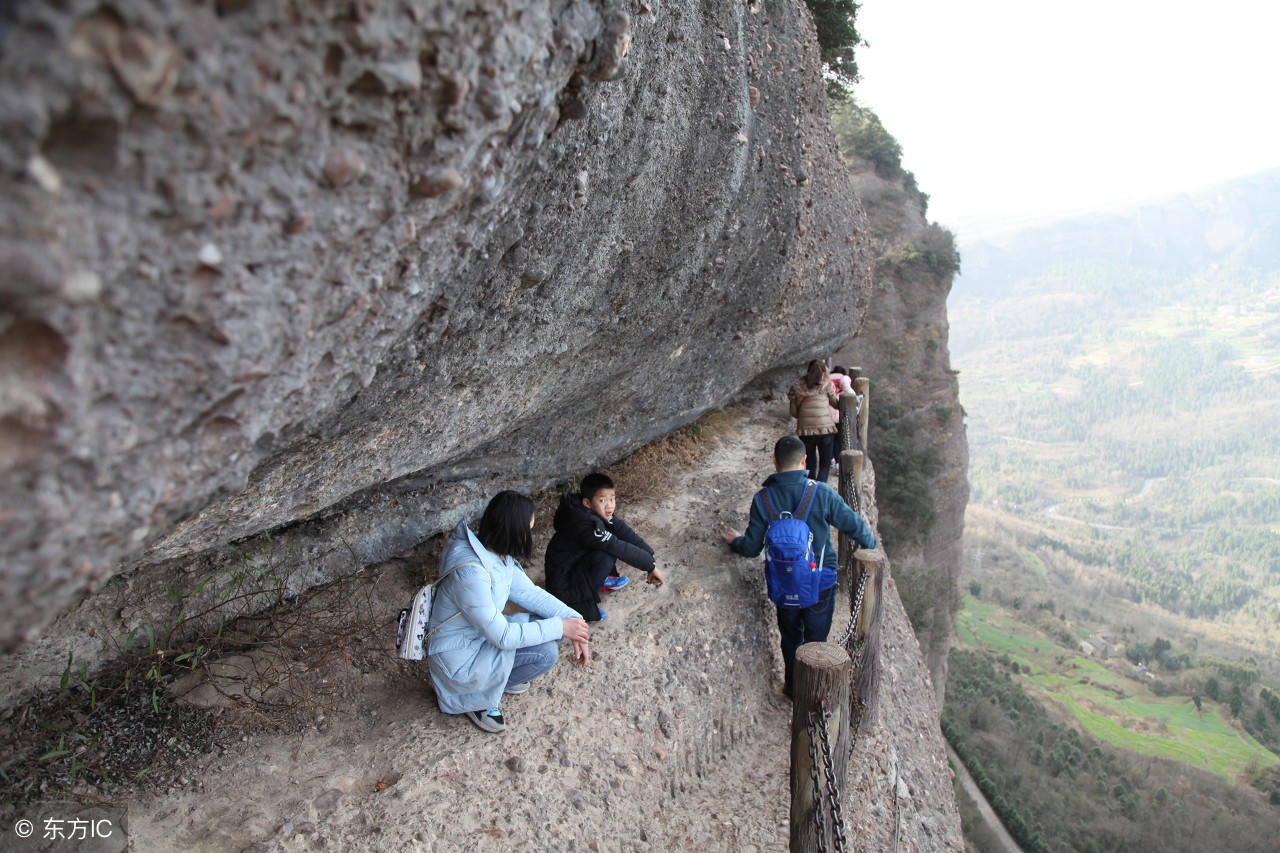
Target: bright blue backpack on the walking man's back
792, 572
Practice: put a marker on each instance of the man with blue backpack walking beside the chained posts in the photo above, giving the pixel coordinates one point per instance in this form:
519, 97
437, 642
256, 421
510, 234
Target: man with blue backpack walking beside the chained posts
792, 521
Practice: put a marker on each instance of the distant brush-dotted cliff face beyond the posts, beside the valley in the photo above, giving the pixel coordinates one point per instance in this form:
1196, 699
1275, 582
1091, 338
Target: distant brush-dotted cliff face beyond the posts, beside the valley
915, 395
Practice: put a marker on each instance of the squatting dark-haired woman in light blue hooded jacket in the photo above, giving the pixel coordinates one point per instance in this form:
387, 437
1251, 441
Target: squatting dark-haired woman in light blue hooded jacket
476, 653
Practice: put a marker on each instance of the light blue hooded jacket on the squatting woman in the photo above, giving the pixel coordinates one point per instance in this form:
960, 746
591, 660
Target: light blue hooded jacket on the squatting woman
473, 653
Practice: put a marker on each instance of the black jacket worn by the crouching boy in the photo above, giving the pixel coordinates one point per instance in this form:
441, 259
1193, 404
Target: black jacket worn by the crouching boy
578, 533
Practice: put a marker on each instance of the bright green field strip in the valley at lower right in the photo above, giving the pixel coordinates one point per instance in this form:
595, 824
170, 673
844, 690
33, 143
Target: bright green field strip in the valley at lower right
1105, 701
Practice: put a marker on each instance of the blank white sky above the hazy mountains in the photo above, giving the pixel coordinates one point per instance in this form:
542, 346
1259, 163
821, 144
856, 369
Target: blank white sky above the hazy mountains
1035, 107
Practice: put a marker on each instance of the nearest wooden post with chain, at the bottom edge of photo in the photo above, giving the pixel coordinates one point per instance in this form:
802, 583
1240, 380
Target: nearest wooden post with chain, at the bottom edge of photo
822, 678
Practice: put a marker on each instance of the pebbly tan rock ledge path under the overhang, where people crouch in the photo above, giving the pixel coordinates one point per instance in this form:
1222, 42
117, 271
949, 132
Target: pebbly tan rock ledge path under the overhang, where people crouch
674, 738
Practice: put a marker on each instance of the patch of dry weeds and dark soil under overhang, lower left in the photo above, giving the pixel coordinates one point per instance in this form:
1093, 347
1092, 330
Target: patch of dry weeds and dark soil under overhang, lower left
126, 728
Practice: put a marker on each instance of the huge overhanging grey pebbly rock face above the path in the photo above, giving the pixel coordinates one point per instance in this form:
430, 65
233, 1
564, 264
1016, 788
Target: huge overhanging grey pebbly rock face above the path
318, 279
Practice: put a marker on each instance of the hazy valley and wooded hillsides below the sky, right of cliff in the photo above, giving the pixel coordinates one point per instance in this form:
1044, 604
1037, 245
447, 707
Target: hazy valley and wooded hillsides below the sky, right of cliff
1122, 381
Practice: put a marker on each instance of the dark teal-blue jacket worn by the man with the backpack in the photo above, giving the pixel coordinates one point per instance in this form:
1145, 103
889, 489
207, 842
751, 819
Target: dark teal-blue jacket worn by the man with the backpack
829, 512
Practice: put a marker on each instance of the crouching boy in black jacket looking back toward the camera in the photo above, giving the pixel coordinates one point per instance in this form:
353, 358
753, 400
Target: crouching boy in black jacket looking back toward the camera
588, 542
